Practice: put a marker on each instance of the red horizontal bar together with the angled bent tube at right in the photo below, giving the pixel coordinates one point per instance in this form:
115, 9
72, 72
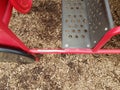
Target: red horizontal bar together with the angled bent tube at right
96, 50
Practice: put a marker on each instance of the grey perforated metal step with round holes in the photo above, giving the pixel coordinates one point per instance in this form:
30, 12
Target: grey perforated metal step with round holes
84, 22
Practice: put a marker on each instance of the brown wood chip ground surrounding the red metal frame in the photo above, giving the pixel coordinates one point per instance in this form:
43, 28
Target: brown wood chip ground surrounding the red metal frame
58, 72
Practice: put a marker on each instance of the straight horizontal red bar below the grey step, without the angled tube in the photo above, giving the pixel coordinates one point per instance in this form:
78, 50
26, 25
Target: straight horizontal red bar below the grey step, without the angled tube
74, 51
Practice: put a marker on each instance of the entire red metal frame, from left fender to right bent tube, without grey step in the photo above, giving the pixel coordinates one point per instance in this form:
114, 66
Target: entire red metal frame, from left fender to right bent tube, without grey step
9, 40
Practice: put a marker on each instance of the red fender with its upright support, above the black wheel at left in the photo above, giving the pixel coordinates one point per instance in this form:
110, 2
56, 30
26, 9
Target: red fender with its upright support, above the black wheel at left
7, 38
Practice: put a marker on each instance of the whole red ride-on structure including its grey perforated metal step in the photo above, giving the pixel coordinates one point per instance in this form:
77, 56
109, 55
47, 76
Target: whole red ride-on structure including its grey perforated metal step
86, 27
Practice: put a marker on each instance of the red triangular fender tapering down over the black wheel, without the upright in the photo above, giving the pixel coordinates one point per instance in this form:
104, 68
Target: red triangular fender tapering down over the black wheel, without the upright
8, 39
